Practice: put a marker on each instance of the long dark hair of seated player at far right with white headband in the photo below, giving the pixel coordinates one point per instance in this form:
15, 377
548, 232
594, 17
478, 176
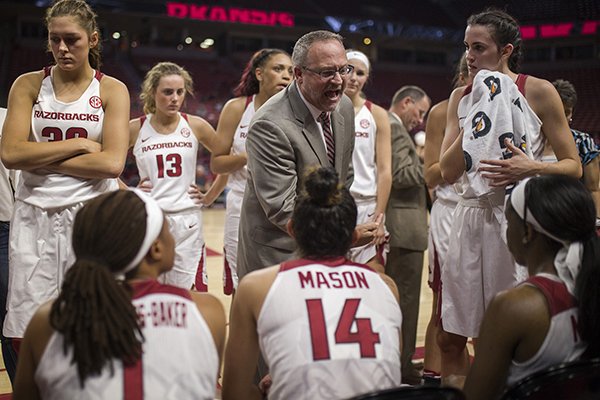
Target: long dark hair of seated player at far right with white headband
565, 208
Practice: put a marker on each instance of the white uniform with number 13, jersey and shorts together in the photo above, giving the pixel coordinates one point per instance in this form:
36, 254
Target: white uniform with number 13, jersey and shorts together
168, 161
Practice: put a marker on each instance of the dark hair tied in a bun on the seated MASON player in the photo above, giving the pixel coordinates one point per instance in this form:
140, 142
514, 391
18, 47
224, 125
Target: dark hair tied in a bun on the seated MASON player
324, 216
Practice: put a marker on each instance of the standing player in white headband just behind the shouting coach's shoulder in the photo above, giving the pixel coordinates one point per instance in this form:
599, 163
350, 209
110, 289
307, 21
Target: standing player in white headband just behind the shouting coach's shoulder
371, 160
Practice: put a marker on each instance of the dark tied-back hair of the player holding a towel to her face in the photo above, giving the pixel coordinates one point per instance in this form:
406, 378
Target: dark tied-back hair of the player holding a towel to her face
504, 30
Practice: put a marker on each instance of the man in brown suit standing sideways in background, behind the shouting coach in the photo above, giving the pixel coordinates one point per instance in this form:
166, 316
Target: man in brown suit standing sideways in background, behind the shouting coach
406, 218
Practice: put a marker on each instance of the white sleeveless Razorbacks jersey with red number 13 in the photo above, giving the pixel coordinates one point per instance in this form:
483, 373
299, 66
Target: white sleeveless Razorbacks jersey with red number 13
169, 162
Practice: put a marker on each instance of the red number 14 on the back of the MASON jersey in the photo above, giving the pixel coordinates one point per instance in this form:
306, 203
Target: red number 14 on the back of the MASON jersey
362, 334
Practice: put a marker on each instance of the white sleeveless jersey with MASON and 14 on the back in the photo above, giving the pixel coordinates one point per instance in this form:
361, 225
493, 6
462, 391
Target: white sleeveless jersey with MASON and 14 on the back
329, 330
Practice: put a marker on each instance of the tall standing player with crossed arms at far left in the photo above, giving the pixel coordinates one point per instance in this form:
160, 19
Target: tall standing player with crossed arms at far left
66, 129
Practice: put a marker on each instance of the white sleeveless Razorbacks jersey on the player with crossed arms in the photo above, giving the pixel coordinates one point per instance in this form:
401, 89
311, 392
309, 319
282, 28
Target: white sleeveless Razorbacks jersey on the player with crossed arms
54, 120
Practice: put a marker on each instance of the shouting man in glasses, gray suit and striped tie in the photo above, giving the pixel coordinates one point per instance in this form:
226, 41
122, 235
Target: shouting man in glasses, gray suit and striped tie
286, 137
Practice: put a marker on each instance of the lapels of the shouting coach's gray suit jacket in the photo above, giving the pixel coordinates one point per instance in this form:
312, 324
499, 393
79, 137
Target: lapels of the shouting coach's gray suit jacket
310, 130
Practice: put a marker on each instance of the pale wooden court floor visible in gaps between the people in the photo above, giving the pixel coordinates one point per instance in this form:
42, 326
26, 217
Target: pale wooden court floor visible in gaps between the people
213, 233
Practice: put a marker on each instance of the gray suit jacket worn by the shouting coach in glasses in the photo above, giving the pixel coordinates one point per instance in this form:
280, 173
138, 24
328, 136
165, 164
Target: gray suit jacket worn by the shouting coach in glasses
283, 142
